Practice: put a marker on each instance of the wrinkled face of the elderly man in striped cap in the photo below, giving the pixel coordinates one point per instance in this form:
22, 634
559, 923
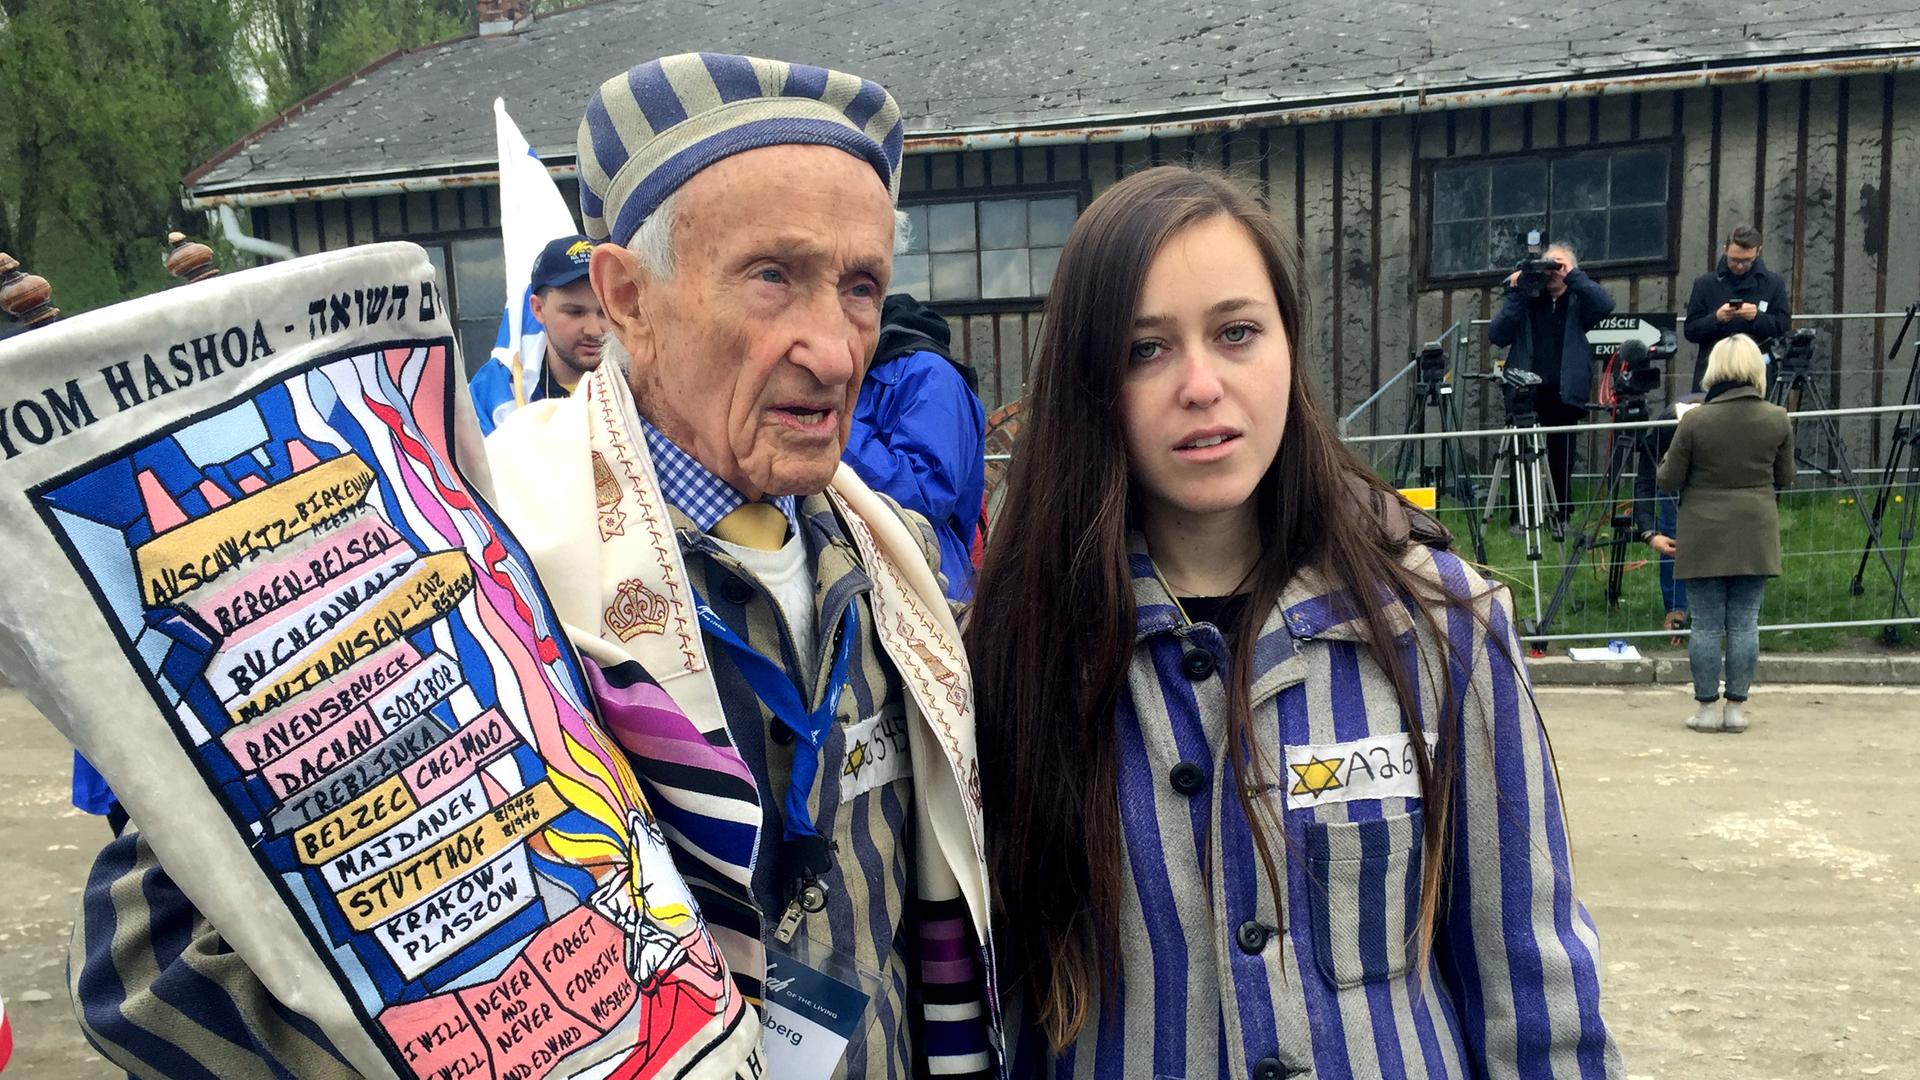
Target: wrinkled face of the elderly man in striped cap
752, 356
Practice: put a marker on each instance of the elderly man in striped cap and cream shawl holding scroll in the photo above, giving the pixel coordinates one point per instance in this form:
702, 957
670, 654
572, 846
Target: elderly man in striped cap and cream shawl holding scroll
813, 768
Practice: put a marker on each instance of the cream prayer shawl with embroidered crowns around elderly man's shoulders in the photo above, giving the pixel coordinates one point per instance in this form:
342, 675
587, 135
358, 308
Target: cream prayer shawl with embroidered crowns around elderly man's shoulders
581, 491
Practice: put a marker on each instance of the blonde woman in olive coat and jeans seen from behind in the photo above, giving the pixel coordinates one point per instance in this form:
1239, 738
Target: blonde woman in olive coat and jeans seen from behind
1729, 458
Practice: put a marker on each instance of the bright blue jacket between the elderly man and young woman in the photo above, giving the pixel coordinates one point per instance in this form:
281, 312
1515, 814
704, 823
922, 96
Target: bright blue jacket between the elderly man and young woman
919, 437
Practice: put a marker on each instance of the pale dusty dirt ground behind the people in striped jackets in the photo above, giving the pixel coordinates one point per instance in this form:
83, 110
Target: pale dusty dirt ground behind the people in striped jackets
1758, 896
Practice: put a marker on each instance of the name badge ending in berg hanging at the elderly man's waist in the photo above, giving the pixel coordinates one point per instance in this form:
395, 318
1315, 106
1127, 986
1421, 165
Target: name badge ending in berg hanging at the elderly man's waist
813, 1010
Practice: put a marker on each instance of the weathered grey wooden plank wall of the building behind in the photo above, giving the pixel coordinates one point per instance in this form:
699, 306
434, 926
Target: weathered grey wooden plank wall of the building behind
1836, 199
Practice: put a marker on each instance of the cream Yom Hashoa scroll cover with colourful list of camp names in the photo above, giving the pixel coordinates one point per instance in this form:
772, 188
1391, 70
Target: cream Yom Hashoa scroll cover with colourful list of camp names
254, 579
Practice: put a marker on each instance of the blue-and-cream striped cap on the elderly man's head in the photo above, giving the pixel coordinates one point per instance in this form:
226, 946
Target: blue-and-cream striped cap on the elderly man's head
648, 132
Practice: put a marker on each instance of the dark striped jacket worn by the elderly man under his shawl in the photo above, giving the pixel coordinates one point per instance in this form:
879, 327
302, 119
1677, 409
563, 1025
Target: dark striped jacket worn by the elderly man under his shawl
162, 996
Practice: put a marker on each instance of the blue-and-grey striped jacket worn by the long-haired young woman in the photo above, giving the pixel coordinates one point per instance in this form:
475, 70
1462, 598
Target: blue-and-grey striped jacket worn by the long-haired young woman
1224, 979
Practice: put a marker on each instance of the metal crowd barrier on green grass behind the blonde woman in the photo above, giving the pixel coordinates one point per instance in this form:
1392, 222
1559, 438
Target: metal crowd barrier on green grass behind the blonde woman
1846, 531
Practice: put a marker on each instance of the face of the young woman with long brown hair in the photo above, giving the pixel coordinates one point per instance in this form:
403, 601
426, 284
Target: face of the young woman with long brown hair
1205, 389
